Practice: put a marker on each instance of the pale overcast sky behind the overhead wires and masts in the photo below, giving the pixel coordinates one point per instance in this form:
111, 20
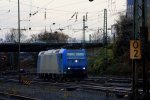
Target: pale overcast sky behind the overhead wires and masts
46, 12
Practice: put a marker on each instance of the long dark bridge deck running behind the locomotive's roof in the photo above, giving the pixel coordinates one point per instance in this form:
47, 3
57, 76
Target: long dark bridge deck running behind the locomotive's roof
37, 47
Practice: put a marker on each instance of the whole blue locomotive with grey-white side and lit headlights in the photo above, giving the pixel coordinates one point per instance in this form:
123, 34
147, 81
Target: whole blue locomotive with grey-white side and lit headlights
62, 63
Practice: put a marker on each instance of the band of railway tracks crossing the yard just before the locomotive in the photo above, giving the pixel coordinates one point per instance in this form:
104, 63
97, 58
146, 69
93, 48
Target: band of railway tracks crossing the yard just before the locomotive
96, 84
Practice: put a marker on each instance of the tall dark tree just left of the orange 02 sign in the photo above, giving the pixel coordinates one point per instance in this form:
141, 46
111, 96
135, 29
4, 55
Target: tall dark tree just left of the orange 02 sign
124, 29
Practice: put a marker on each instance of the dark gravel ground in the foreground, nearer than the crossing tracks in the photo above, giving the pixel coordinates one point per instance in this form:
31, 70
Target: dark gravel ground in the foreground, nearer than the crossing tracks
49, 92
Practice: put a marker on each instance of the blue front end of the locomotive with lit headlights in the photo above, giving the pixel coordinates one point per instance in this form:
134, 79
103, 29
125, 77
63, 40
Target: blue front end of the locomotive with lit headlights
76, 63
